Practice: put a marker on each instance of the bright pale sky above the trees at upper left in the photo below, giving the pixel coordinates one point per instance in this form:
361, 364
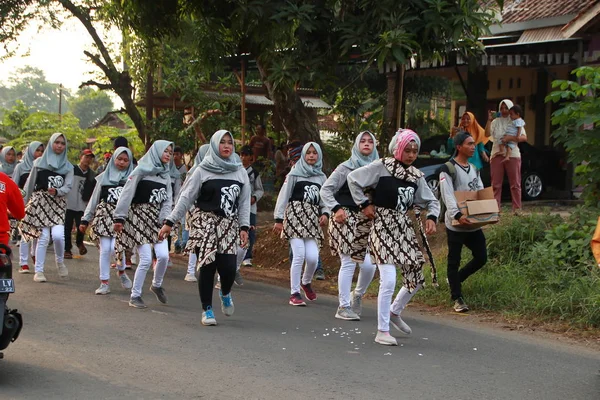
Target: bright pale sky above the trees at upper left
59, 53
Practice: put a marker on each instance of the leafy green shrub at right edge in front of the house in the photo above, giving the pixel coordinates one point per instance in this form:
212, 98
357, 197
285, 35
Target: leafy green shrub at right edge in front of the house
578, 127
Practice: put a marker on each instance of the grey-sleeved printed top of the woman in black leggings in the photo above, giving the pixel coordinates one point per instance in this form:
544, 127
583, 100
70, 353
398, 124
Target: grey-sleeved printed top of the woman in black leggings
193, 186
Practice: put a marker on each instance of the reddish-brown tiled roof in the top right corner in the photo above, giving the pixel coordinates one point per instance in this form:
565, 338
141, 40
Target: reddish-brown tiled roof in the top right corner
528, 10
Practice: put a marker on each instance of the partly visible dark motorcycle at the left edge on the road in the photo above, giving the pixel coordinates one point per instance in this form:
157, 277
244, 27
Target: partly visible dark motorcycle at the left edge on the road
11, 321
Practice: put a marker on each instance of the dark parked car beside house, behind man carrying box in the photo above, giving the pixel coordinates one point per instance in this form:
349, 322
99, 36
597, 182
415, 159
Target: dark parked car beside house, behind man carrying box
540, 168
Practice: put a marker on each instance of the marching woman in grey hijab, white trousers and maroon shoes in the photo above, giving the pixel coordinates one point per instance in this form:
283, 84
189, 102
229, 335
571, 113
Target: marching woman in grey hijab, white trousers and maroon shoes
299, 214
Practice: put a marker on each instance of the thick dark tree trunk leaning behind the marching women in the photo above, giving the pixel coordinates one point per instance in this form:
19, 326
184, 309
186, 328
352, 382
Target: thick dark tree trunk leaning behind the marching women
295, 118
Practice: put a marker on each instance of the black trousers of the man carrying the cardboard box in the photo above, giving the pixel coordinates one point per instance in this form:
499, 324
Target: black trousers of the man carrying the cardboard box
474, 241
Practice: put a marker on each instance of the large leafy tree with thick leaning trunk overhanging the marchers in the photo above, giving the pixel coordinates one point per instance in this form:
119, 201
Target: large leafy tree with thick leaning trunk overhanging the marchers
297, 43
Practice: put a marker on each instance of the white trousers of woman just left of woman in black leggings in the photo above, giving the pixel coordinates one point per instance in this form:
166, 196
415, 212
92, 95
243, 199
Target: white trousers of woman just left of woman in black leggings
161, 249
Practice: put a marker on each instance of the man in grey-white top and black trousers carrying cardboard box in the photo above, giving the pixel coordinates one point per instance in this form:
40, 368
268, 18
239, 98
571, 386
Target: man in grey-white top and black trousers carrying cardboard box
459, 175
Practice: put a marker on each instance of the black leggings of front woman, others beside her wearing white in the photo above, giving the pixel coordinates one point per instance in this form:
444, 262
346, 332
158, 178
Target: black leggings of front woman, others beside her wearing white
225, 265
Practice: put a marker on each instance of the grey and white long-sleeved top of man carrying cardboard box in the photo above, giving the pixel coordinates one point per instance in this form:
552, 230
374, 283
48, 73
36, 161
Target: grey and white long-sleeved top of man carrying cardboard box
464, 181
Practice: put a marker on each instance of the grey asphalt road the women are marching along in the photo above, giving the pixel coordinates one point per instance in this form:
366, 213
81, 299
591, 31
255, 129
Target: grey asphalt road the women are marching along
76, 345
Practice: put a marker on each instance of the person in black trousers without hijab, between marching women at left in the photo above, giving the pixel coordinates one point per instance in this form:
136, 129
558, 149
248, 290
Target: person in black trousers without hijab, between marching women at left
77, 199
